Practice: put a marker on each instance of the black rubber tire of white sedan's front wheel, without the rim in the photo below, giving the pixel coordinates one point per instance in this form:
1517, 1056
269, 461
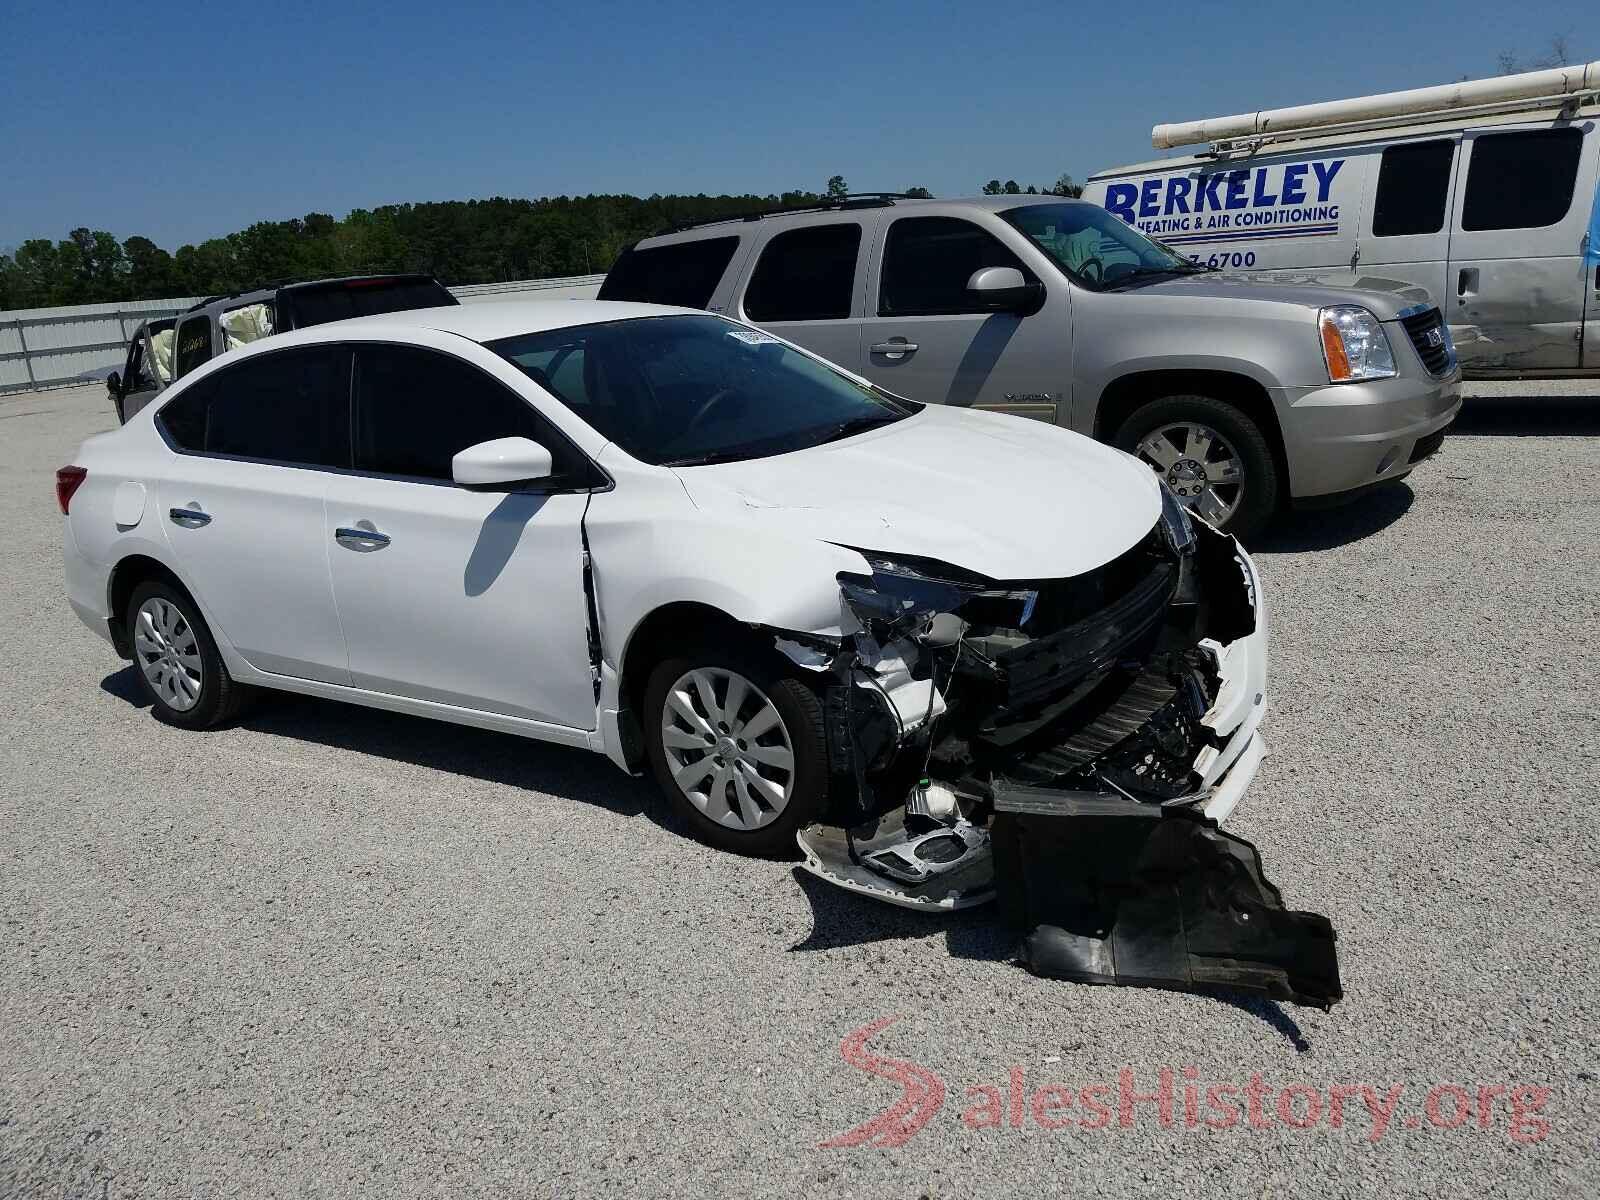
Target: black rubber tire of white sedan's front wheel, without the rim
802, 719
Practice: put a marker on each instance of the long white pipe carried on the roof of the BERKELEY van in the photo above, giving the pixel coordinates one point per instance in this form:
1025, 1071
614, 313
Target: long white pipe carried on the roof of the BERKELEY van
1470, 98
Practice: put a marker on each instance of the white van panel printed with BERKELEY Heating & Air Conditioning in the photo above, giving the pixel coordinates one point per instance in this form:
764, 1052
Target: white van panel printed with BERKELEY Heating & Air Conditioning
1268, 212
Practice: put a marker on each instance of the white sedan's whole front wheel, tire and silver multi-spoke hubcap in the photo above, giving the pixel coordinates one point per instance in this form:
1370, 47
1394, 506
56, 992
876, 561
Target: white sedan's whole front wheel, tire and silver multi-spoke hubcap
738, 748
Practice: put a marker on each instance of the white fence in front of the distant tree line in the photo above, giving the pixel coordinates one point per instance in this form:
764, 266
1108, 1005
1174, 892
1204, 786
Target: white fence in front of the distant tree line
58, 348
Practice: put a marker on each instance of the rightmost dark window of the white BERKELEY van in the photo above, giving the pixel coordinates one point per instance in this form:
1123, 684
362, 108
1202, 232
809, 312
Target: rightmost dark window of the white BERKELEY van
1521, 180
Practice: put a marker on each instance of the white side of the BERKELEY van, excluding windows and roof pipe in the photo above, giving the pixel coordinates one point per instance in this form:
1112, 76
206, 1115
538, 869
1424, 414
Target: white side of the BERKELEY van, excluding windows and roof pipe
1519, 302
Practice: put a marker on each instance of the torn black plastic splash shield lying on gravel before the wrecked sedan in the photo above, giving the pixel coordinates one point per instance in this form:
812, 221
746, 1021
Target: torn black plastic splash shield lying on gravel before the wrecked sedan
1153, 897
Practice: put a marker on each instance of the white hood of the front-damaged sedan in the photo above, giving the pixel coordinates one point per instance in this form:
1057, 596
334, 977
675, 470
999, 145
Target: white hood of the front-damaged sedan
999, 495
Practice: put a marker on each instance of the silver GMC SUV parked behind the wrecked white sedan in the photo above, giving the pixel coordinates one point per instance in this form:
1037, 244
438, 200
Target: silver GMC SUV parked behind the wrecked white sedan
1244, 393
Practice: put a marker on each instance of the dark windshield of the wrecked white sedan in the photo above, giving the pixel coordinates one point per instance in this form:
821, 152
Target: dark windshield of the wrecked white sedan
686, 391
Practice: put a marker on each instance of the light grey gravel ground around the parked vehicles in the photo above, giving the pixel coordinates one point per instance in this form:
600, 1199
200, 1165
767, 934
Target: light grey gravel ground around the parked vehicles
334, 950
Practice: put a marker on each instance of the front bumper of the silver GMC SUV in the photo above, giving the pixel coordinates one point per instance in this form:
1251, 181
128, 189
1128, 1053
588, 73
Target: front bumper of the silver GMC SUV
1343, 438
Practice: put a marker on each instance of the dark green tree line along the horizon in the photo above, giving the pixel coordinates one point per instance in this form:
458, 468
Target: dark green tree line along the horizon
457, 241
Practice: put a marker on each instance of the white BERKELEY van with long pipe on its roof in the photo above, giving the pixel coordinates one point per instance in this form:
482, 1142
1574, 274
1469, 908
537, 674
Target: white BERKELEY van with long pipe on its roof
1484, 193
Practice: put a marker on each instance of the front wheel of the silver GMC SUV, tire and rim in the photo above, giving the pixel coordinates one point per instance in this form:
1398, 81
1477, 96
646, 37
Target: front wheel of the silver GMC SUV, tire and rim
1214, 457
